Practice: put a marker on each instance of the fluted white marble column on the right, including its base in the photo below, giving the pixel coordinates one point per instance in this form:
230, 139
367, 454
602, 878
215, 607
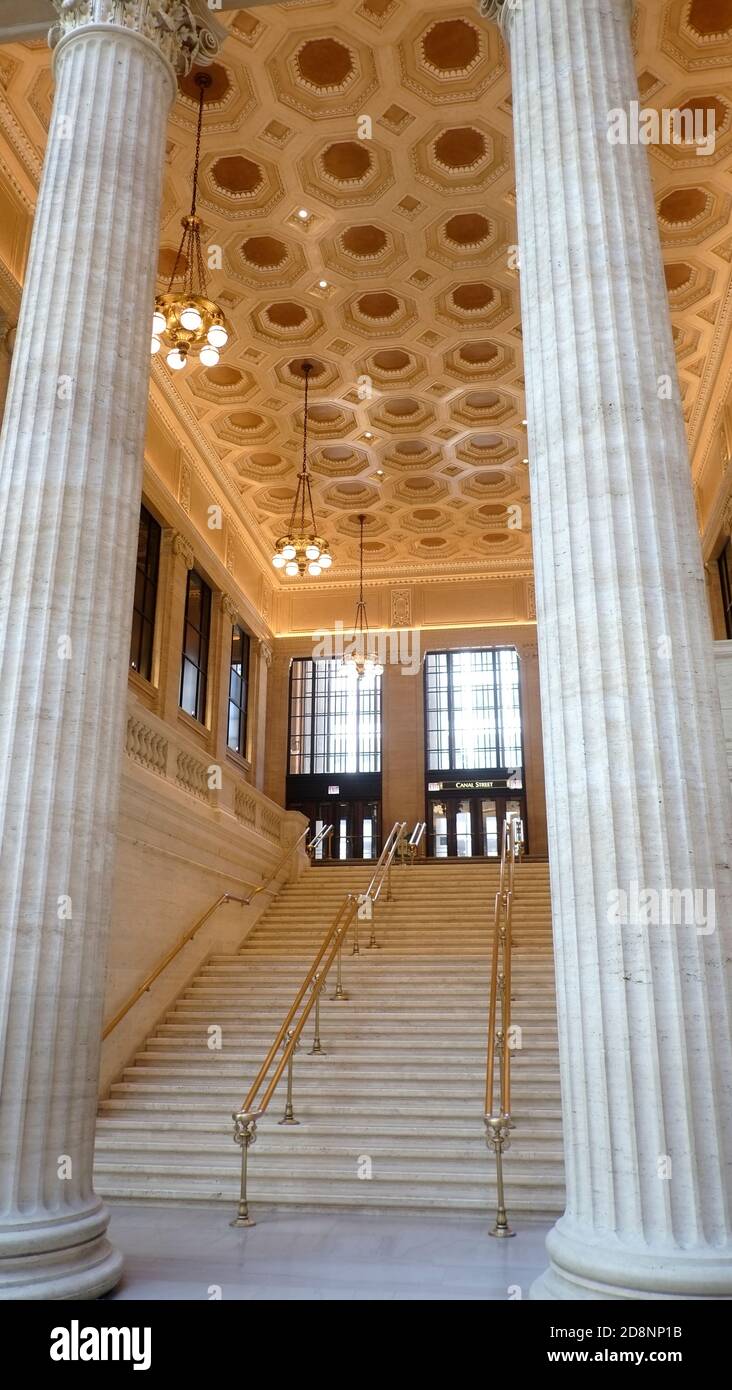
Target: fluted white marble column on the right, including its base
635, 769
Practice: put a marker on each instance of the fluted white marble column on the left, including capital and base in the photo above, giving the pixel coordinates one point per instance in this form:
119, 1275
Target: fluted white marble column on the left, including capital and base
70, 491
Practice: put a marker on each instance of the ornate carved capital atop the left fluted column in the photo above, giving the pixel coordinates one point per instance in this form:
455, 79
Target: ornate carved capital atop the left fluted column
184, 31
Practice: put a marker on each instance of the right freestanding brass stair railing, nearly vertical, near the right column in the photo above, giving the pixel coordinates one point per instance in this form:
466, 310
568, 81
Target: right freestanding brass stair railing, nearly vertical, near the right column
498, 1117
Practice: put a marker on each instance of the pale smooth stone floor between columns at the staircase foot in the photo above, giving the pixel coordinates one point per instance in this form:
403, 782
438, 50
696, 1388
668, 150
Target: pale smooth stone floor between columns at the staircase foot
191, 1253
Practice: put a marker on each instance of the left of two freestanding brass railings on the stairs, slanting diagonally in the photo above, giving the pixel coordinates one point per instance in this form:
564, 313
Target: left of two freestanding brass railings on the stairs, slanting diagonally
308, 999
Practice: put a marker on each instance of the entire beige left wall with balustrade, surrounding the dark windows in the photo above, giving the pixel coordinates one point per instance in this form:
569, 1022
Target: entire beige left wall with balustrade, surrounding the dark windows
194, 821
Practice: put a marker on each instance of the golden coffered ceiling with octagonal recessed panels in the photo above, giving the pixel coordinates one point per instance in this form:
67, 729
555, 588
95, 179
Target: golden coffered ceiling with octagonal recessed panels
390, 124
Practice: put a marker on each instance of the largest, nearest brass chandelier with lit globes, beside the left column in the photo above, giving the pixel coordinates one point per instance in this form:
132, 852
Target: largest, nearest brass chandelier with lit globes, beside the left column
187, 320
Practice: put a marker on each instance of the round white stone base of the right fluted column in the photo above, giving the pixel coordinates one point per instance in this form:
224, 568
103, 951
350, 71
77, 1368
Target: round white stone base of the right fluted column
605, 1268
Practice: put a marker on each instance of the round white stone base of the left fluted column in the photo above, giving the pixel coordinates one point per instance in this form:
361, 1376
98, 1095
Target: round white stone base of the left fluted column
59, 1259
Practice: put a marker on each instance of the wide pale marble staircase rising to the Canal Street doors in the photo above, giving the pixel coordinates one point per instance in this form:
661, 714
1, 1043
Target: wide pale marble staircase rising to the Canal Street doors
392, 1114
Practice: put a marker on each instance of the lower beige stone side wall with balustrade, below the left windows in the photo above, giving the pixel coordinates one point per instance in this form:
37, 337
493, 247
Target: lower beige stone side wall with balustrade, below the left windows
180, 847
